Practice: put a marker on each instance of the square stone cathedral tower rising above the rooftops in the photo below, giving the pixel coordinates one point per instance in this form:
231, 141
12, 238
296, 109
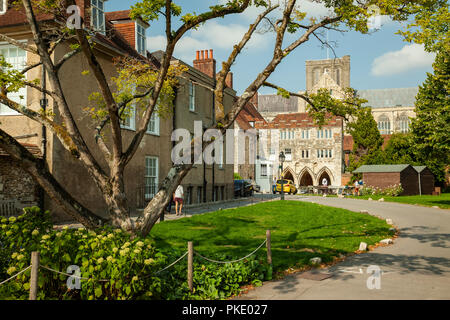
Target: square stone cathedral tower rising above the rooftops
338, 69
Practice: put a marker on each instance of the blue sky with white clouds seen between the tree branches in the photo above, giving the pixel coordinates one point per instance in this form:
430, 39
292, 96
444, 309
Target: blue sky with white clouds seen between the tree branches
379, 60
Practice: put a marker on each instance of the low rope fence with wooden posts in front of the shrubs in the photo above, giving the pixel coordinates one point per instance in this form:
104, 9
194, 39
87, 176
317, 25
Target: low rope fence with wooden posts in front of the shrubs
35, 266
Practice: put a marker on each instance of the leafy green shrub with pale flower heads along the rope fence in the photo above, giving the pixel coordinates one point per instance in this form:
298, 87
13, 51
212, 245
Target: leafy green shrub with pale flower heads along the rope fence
129, 265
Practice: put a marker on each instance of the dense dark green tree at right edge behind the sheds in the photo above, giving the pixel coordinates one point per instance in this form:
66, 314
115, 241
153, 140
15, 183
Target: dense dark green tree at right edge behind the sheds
431, 127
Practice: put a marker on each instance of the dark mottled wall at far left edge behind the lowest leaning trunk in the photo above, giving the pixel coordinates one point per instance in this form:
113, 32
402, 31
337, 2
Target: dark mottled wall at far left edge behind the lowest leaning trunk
16, 186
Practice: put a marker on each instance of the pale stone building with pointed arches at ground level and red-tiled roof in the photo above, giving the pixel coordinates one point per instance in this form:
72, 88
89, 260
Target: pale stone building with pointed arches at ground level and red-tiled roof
312, 154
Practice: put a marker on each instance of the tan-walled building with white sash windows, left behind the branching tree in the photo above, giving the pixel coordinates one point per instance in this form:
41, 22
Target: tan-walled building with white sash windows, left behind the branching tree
152, 161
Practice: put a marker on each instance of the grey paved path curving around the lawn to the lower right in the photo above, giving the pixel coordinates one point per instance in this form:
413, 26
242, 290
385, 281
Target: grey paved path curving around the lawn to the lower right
417, 266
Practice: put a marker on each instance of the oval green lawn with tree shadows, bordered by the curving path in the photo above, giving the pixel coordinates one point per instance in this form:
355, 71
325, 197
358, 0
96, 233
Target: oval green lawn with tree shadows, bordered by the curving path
300, 231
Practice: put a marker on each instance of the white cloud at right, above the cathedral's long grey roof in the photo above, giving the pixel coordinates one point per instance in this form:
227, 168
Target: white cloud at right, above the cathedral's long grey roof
396, 62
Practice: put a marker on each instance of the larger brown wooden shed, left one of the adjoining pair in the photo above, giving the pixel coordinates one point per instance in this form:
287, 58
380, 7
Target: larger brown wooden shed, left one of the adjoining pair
383, 176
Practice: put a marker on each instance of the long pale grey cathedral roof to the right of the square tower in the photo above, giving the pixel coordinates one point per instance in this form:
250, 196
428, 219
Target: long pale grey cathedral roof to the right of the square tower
389, 98
